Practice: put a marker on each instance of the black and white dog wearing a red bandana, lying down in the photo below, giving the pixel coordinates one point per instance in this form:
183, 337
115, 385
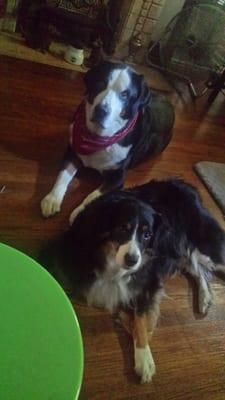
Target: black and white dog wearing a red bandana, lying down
119, 124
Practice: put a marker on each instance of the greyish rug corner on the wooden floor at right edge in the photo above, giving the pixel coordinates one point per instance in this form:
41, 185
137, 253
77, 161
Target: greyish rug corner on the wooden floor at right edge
213, 176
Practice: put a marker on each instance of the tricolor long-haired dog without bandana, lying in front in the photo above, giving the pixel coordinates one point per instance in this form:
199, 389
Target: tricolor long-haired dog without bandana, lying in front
121, 248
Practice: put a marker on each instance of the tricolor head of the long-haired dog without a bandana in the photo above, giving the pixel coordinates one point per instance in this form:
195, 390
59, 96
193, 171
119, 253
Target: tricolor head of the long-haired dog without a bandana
129, 237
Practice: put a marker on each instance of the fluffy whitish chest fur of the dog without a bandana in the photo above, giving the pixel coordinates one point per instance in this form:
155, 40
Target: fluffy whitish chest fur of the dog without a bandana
109, 293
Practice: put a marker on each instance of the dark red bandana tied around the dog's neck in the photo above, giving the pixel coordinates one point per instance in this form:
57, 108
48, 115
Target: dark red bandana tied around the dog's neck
86, 143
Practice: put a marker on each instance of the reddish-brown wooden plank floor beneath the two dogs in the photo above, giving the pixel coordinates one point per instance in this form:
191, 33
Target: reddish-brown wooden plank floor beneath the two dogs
36, 105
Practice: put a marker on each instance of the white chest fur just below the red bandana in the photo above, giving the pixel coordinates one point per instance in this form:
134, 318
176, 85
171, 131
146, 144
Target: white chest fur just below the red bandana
107, 158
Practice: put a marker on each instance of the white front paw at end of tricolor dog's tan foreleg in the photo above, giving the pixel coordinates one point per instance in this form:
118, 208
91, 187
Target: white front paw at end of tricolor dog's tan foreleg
144, 364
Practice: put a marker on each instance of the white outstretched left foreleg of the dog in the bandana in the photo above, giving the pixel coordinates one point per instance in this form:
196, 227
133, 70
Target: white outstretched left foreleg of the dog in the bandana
51, 203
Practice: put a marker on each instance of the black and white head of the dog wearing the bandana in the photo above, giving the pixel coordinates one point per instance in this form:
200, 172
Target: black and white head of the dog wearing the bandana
115, 93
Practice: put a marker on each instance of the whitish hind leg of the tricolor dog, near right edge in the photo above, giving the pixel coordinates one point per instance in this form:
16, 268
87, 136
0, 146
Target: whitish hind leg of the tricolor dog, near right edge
199, 268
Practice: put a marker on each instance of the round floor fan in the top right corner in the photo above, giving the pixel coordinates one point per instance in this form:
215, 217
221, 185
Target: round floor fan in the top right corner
192, 47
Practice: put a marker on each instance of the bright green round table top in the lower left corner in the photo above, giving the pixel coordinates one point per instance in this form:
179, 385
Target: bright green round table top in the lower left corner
41, 351
